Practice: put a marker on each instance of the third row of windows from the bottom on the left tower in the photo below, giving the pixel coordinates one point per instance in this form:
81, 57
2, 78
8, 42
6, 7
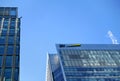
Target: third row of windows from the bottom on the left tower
10, 50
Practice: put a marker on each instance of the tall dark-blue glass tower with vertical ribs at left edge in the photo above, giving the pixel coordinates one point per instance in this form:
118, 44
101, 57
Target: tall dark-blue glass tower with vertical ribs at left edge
9, 44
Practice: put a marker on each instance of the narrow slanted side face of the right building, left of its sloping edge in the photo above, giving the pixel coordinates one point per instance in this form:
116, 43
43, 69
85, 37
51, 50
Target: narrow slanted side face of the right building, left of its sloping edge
54, 71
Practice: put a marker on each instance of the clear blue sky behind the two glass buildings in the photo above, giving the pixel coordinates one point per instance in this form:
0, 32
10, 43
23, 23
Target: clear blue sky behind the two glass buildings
47, 22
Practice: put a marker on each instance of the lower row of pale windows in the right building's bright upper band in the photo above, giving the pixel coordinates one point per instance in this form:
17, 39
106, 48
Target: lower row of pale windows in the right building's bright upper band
87, 63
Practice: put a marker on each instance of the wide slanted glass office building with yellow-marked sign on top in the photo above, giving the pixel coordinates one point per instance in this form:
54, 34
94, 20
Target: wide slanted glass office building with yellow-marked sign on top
84, 62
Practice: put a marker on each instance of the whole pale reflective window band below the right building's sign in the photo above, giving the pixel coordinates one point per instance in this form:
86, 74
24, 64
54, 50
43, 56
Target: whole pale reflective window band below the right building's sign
91, 58
